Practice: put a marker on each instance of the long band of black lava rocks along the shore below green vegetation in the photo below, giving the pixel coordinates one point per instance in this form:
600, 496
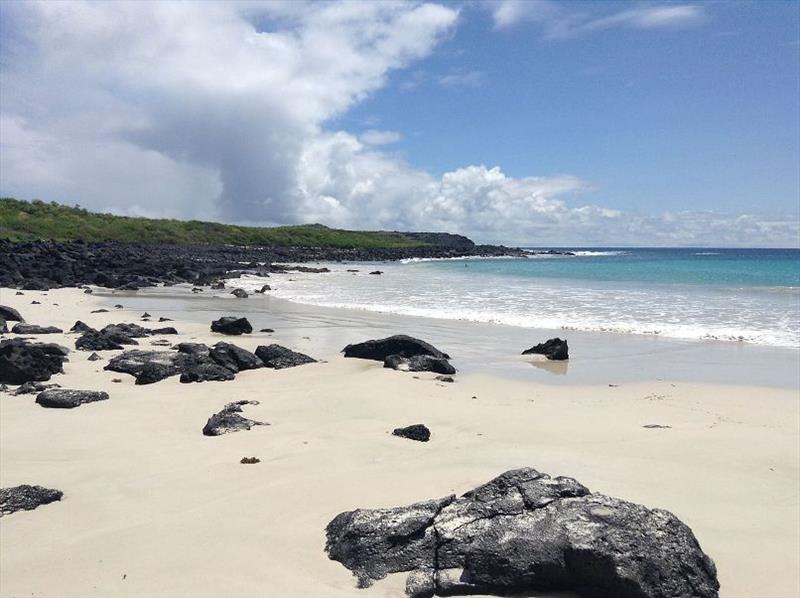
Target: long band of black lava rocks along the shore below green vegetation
42, 265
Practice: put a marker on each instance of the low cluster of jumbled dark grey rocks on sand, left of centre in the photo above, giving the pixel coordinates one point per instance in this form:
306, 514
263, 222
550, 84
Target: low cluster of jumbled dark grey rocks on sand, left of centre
196, 362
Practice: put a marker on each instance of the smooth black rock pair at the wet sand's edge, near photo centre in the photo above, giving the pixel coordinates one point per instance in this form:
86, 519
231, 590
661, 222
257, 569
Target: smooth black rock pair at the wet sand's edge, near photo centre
402, 352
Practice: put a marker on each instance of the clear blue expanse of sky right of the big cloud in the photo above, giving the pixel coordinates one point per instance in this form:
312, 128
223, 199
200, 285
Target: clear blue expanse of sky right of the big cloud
705, 116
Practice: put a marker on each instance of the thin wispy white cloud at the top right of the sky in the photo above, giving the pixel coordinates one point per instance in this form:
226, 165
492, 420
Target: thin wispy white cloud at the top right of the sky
562, 22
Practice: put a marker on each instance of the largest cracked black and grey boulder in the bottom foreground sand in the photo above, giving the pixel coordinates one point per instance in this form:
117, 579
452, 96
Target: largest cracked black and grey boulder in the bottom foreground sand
526, 532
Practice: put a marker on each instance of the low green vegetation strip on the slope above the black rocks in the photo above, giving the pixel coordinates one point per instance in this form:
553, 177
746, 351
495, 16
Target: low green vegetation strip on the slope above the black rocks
22, 220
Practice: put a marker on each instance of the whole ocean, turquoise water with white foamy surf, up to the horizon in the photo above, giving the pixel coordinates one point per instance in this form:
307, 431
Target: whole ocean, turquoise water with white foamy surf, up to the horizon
740, 295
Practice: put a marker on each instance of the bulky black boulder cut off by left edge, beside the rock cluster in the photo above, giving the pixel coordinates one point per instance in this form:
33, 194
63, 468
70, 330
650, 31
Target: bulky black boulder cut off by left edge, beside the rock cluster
22, 362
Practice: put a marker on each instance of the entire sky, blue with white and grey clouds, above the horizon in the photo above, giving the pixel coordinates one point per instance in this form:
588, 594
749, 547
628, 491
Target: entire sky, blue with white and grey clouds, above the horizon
528, 122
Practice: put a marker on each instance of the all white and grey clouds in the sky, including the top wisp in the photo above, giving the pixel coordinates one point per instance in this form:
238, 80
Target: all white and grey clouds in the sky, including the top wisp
222, 111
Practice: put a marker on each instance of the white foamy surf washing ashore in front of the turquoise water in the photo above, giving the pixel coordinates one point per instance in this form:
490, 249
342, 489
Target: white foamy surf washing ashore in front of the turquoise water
690, 313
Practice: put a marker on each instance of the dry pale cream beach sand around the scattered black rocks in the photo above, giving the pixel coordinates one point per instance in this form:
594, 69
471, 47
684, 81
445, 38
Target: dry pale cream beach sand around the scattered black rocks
154, 508
